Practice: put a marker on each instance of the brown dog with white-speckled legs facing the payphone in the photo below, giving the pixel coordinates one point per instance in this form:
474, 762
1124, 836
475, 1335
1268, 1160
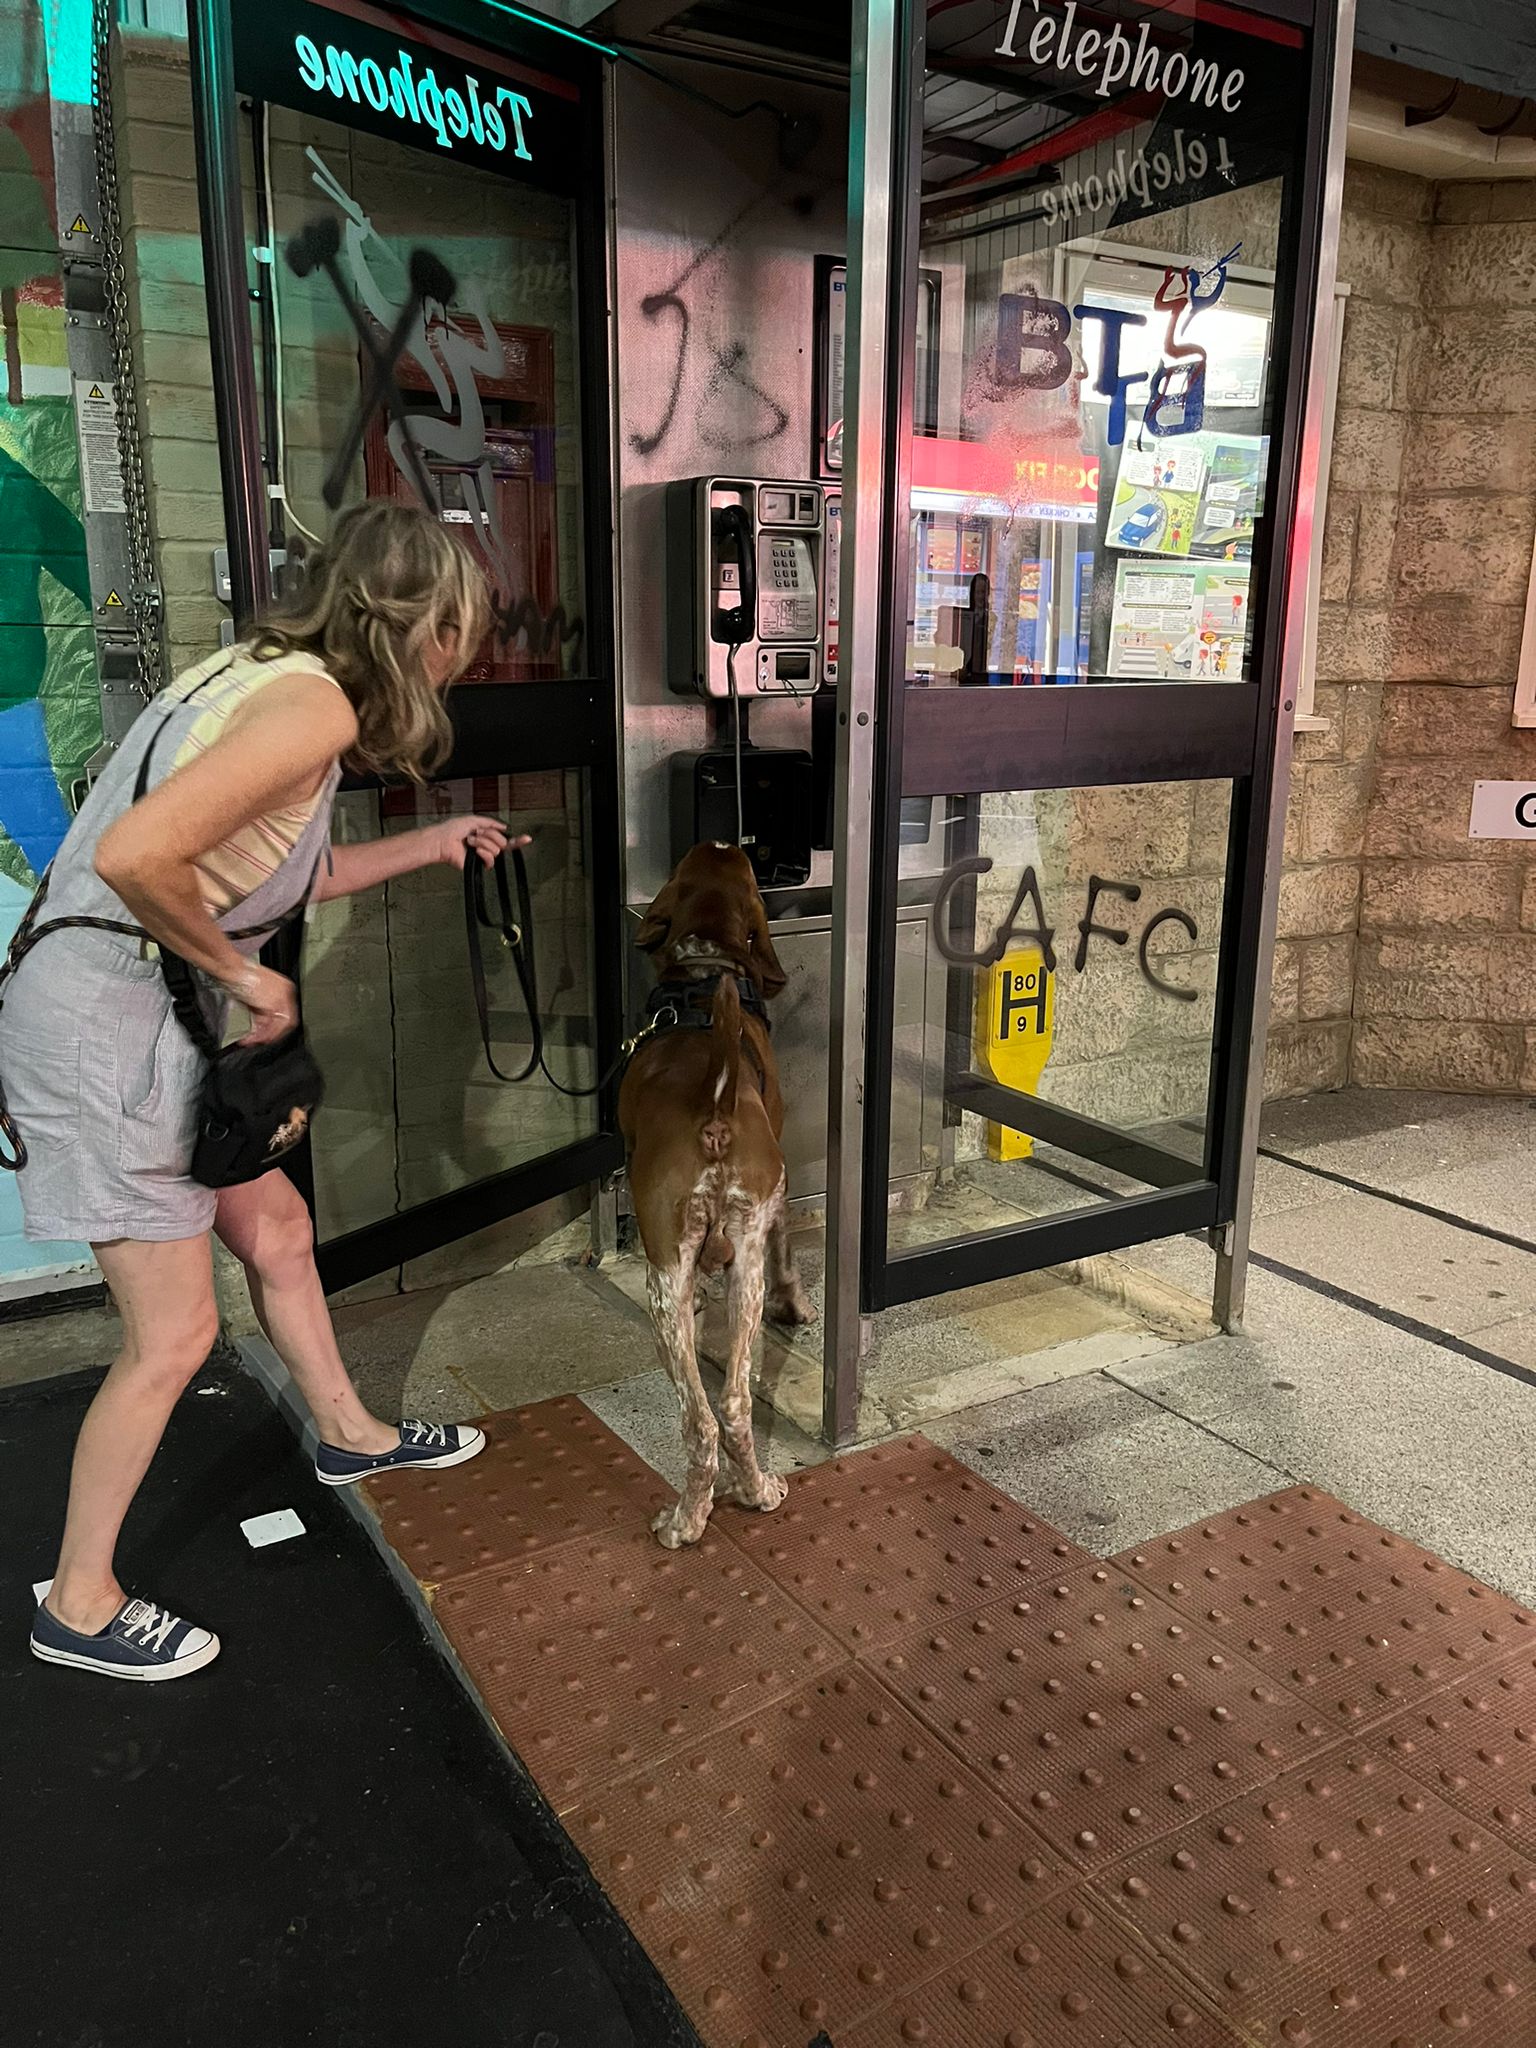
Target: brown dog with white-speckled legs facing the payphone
703, 1117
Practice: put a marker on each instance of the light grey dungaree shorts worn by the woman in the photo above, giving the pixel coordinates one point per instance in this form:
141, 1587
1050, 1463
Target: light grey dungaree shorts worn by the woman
99, 1076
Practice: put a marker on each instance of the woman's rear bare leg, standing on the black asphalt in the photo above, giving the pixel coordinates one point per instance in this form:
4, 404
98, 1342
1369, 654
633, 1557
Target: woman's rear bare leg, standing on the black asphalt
165, 1295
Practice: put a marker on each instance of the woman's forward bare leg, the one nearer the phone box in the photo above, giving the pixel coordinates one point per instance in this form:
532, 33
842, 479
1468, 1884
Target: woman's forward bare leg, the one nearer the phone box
269, 1230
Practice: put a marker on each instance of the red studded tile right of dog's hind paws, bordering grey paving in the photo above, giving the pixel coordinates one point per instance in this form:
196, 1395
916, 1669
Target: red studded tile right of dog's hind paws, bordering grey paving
878, 1543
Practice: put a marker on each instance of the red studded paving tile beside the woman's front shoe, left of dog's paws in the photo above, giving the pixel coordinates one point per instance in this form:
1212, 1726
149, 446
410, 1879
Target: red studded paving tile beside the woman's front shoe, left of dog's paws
548, 1474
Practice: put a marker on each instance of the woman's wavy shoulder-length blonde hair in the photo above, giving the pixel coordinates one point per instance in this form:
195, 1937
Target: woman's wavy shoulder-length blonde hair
388, 585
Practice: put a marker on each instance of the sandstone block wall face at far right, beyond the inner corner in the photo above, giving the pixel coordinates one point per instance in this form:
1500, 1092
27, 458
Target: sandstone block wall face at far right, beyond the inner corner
1447, 974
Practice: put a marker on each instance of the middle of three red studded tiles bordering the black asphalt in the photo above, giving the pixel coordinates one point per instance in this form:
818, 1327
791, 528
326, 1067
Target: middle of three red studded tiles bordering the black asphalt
609, 1654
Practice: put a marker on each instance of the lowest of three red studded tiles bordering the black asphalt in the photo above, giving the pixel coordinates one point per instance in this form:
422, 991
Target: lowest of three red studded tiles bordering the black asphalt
798, 1871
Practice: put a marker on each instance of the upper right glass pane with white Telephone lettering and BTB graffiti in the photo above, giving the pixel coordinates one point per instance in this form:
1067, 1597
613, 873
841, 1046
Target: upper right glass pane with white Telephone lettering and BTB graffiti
1107, 232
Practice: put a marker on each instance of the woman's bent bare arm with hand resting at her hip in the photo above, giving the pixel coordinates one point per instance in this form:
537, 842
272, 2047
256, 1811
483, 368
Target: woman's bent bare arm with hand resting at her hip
278, 749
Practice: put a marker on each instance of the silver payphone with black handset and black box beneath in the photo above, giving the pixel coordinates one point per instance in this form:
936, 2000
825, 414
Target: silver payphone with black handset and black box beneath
753, 615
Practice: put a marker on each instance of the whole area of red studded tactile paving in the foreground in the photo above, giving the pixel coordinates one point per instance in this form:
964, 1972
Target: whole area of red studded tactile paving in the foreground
900, 1764
